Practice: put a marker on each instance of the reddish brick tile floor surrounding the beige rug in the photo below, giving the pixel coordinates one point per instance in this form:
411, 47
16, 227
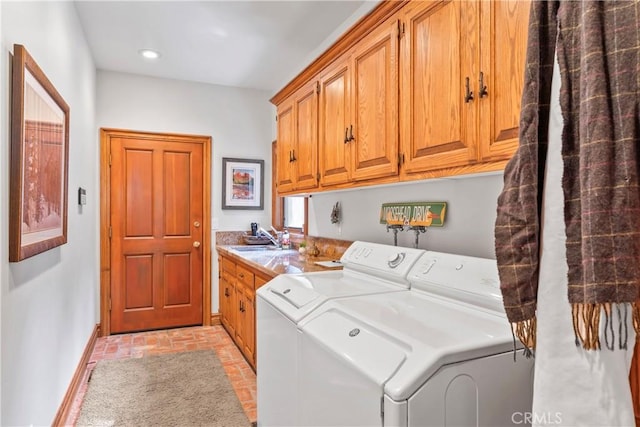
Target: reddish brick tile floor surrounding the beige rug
142, 344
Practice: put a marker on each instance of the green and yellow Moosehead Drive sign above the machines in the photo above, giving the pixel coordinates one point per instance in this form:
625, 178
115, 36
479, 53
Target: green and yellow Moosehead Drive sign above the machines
412, 214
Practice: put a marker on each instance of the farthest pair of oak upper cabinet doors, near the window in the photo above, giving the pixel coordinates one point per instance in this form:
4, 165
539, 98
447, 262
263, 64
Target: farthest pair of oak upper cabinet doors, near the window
298, 140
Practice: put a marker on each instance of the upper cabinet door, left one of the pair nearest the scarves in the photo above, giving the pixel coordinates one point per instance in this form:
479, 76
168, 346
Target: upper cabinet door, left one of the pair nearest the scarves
439, 50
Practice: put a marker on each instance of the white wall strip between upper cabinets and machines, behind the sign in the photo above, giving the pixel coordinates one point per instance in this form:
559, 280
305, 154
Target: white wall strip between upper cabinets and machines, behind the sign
469, 220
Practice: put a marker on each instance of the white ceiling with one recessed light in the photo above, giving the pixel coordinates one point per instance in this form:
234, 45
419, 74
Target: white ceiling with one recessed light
253, 44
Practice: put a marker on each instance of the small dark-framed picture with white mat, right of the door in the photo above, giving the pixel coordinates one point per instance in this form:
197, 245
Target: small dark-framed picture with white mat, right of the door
242, 184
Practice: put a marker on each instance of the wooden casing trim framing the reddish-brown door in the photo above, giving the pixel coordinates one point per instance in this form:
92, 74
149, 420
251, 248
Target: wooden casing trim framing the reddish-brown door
106, 134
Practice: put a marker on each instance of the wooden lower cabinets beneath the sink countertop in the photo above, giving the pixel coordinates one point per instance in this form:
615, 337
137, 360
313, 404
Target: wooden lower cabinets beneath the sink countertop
238, 283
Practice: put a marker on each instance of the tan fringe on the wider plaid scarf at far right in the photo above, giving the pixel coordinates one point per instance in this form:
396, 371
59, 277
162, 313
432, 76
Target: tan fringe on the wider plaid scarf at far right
586, 324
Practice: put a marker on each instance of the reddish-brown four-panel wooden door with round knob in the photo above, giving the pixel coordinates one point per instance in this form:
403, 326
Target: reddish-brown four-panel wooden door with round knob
157, 231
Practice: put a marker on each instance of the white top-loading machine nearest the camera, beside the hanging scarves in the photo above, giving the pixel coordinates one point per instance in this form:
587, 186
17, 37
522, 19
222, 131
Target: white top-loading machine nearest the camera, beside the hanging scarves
441, 354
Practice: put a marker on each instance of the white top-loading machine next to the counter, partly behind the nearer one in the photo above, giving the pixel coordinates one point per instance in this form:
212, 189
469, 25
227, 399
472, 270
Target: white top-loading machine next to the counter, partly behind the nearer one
369, 268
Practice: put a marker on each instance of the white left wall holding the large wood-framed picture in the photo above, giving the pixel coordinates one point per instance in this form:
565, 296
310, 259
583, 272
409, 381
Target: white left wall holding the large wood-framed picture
48, 302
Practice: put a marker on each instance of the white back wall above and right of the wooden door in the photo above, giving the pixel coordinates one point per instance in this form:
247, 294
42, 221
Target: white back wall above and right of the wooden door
238, 120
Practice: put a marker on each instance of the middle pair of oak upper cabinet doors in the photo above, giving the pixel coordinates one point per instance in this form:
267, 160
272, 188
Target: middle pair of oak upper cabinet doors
359, 110
